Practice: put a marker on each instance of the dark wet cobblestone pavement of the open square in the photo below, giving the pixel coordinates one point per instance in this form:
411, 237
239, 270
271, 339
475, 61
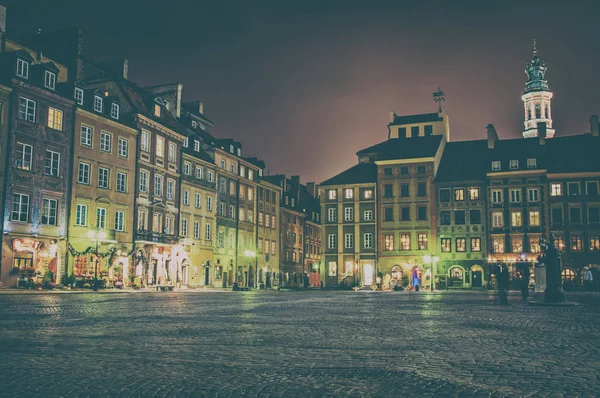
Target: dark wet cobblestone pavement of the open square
296, 343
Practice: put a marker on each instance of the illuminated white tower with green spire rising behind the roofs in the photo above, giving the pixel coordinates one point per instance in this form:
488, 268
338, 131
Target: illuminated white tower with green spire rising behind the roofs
537, 98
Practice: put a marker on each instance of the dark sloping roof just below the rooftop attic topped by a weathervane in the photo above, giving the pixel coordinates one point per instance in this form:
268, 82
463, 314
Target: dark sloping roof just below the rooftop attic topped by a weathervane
404, 148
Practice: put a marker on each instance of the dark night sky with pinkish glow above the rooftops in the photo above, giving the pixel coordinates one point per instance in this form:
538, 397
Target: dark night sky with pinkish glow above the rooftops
306, 84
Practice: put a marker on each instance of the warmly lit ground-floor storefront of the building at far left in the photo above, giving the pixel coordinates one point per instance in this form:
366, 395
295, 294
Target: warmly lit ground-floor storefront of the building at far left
32, 261
